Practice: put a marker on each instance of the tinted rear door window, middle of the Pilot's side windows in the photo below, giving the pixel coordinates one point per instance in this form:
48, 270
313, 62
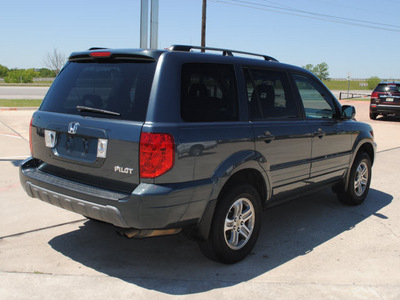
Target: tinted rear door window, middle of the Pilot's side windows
269, 95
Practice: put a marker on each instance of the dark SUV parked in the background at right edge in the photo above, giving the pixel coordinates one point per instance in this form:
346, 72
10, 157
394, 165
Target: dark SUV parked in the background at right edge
385, 100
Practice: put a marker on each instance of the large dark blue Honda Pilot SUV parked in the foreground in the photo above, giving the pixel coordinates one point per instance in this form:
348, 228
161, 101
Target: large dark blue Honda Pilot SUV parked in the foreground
162, 141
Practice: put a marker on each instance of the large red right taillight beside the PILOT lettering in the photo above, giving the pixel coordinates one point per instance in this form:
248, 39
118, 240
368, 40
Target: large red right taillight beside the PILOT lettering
156, 154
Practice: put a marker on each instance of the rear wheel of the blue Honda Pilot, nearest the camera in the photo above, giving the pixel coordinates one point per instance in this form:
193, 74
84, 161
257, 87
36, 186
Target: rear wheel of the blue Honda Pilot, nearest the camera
235, 227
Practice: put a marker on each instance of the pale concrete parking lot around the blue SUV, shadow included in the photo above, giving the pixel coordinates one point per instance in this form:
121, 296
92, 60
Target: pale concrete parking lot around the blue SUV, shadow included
312, 248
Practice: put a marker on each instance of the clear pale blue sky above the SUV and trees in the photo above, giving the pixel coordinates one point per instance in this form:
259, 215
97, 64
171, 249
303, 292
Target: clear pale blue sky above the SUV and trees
356, 38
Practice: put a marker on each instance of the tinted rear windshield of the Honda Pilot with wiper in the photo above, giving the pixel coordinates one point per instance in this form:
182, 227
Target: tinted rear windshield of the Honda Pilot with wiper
119, 87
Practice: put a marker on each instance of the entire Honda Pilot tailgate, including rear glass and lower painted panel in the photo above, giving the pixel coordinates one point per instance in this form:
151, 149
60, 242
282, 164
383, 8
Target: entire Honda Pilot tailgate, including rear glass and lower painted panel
88, 127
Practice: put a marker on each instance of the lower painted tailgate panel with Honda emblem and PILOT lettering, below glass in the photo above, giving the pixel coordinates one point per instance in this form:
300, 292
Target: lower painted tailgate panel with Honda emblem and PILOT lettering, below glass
94, 151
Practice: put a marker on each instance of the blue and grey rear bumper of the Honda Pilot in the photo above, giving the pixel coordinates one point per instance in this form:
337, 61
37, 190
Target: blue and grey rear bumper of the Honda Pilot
149, 206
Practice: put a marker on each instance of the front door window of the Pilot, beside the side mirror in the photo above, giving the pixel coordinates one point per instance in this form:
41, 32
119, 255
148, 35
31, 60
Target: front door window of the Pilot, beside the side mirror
315, 103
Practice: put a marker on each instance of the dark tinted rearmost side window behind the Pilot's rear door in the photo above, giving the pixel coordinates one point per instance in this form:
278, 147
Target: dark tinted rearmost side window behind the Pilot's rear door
208, 93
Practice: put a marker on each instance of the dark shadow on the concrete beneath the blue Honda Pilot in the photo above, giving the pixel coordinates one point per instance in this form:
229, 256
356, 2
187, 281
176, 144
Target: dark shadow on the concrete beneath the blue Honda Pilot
174, 265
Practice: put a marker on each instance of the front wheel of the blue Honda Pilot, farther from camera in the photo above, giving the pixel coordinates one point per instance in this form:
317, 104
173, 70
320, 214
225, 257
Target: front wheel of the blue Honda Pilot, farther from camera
359, 181
